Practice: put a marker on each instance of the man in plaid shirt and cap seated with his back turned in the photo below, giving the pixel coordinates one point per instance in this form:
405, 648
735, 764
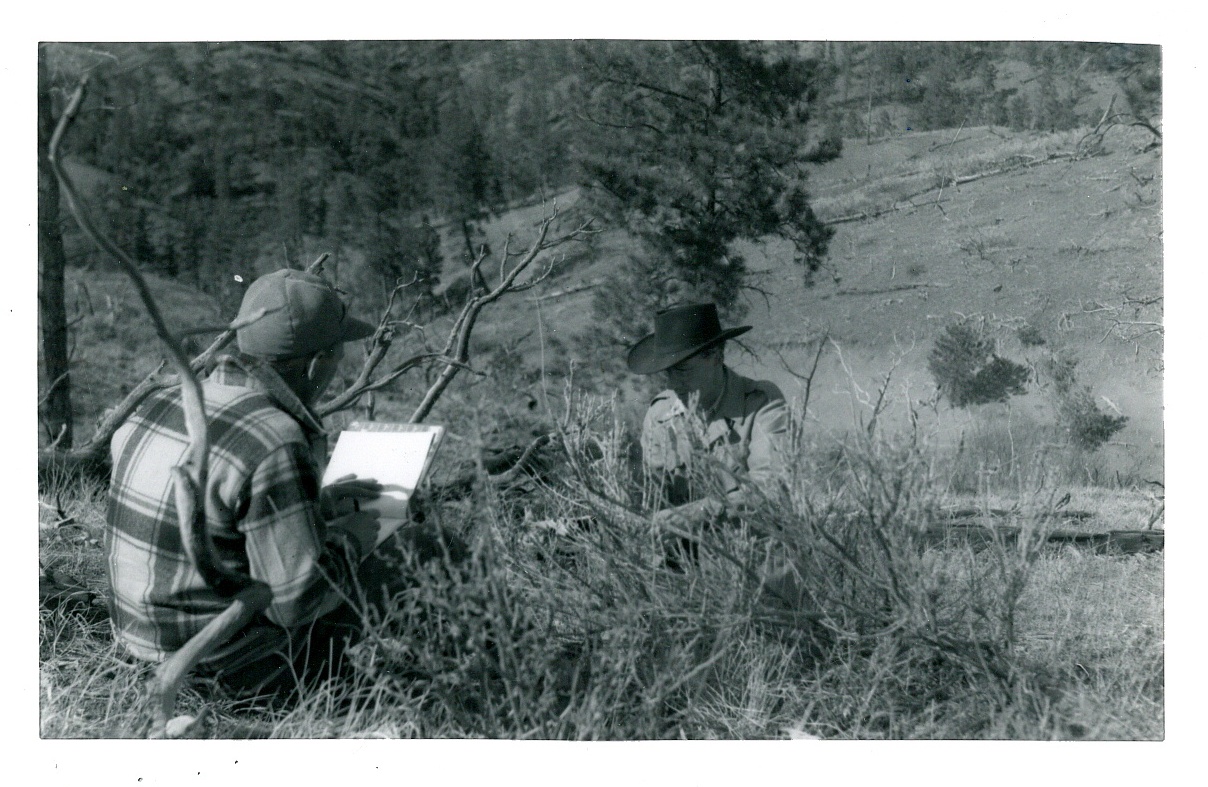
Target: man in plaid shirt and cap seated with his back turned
266, 513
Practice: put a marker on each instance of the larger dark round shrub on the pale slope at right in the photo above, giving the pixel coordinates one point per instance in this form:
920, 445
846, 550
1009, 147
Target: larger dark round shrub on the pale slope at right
968, 371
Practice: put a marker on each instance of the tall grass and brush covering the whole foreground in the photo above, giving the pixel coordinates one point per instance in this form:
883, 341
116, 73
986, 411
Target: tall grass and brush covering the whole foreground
827, 607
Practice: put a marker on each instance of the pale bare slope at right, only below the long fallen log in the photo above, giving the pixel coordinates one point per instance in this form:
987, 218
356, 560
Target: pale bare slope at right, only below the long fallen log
1058, 247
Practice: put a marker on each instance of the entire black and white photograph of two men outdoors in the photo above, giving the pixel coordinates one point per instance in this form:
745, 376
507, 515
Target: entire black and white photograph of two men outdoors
622, 389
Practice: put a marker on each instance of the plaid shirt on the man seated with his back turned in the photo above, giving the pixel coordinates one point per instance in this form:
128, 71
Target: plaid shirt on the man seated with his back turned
262, 507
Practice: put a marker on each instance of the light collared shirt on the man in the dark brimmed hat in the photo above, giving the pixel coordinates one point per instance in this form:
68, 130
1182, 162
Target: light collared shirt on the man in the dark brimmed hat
744, 431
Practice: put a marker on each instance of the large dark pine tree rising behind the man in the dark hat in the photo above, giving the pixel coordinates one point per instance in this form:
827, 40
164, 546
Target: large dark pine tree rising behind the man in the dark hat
692, 146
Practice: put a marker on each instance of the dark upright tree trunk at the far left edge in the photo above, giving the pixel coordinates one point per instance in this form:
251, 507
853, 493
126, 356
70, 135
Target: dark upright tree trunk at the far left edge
51, 275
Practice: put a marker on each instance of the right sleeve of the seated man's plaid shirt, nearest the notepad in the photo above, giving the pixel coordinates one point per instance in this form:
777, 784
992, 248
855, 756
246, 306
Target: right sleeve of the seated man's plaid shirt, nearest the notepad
309, 570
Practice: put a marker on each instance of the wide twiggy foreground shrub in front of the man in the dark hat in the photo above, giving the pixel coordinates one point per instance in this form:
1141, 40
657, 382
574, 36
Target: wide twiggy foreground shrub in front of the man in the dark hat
826, 604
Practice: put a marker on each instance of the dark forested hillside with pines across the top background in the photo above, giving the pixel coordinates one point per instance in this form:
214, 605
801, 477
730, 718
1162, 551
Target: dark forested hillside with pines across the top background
214, 163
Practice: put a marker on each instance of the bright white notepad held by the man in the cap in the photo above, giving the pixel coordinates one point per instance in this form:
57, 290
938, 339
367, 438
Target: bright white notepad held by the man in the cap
397, 455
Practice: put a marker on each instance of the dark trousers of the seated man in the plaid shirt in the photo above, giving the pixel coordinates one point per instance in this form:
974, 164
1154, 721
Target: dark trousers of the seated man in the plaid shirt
320, 651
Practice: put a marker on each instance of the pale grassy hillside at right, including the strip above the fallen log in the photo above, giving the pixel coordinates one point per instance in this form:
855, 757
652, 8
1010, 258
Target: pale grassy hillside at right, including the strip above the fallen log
1047, 253
